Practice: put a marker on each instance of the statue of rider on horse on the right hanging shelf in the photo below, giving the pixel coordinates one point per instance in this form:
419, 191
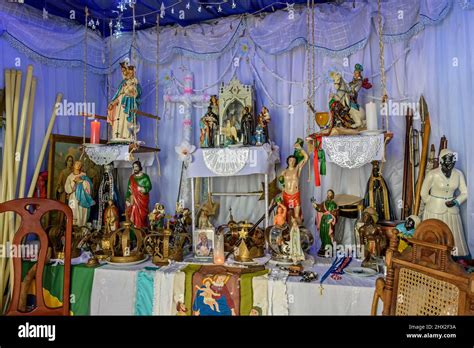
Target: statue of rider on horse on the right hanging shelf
343, 104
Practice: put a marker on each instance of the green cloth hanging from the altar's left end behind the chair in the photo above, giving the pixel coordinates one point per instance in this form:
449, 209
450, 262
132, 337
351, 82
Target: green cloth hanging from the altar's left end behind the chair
82, 278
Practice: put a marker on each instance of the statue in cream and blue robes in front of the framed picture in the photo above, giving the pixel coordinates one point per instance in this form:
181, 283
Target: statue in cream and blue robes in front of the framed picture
79, 188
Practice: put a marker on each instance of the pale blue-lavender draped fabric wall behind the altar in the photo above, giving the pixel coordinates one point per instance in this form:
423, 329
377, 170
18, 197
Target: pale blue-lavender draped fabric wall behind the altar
423, 63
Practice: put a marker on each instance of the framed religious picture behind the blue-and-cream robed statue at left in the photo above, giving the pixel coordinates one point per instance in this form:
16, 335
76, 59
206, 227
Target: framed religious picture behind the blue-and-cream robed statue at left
64, 150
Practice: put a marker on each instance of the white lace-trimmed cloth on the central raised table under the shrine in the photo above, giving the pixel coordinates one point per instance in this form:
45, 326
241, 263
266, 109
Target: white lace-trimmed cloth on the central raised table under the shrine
234, 161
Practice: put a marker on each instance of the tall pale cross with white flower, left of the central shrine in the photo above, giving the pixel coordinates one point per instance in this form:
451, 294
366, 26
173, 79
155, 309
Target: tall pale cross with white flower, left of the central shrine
185, 148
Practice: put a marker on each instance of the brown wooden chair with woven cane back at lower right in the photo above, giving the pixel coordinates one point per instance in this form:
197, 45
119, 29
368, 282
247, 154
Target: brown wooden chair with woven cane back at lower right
424, 279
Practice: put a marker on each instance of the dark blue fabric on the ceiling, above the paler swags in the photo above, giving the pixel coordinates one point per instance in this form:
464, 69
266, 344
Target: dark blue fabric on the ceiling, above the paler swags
198, 11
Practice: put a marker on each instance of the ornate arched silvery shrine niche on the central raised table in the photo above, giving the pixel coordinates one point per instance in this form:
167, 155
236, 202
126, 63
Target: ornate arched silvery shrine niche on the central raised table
236, 102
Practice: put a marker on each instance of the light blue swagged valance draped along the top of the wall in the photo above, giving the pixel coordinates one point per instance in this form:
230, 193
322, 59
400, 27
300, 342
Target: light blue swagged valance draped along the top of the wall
340, 30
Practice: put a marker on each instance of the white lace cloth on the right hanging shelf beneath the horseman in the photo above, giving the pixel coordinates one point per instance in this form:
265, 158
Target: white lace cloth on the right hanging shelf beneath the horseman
353, 151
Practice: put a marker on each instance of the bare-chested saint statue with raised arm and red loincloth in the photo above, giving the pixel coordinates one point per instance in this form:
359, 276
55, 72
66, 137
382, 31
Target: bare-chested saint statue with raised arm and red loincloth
289, 179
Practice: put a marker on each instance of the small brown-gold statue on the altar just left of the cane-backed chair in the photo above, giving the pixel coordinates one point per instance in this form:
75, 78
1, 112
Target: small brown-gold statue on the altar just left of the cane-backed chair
372, 238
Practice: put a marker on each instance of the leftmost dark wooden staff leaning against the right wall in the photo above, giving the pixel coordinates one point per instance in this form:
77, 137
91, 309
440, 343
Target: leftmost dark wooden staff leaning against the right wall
407, 191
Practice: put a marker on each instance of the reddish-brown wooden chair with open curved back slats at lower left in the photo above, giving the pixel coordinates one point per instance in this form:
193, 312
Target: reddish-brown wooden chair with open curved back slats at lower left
31, 210
